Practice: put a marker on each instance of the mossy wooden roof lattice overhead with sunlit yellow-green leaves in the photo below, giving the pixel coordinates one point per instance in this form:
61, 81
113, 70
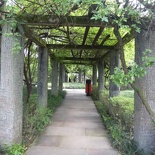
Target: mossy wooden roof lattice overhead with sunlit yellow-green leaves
73, 38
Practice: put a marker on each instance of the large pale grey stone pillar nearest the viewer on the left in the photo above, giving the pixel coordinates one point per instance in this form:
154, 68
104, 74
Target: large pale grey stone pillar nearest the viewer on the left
11, 93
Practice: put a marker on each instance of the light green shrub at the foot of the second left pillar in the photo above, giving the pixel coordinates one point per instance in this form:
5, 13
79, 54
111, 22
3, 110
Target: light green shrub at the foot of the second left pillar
36, 118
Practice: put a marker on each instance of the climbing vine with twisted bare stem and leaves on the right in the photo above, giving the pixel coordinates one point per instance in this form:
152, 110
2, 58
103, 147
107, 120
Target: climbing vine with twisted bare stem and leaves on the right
129, 15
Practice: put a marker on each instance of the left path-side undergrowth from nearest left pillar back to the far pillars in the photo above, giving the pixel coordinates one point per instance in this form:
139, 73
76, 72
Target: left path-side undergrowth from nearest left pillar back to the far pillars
37, 117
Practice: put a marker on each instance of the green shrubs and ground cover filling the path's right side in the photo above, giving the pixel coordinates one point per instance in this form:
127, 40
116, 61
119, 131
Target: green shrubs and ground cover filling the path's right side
117, 114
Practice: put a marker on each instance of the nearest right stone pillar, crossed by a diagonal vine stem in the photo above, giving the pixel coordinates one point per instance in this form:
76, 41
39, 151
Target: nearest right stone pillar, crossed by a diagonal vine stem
144, 128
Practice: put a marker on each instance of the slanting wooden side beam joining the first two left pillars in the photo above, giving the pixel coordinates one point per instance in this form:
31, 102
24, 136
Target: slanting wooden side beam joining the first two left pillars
35, 38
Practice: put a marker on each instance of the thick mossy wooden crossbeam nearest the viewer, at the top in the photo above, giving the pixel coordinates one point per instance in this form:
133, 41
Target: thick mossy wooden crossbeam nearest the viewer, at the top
76, 21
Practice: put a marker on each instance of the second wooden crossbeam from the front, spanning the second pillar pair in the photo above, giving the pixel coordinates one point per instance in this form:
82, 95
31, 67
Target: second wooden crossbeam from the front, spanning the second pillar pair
78, 47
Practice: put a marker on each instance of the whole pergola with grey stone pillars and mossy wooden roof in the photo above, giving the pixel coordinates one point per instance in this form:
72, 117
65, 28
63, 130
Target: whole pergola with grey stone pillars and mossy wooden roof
74, 40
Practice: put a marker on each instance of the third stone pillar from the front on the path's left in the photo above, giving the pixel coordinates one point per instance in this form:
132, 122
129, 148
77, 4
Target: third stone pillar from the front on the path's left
54, 89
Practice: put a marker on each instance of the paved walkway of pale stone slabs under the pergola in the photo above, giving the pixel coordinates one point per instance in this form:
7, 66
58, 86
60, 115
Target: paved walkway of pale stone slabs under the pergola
76, 129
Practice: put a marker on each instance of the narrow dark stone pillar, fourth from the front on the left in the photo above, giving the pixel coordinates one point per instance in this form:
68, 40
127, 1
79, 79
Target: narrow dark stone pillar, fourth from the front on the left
61, 76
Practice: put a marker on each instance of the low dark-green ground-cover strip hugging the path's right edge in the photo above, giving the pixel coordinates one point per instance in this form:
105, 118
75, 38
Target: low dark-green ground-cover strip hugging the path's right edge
120, 137
